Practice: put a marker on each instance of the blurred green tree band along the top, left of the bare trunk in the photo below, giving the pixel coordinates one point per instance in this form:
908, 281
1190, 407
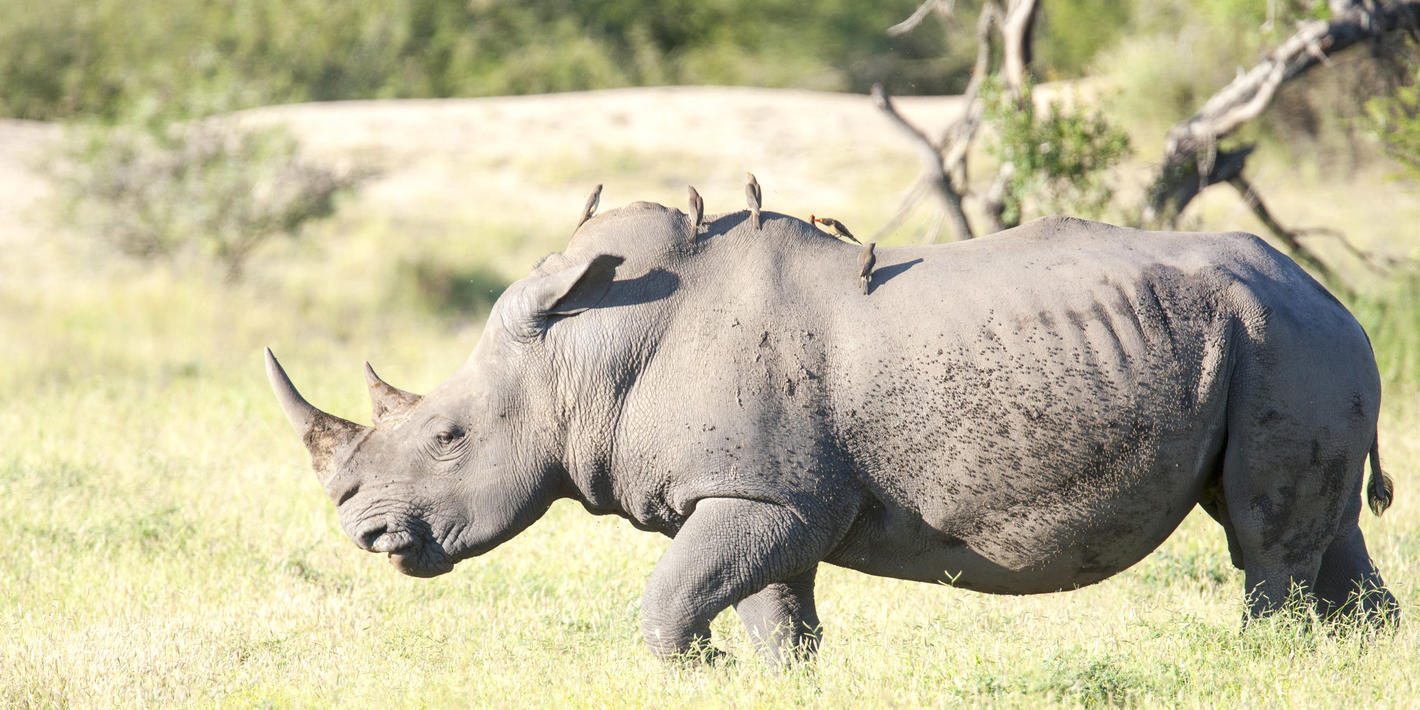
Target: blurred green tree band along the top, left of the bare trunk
100, 58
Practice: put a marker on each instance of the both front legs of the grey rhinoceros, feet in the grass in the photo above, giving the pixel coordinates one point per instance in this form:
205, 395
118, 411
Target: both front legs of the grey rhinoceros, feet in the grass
729, 552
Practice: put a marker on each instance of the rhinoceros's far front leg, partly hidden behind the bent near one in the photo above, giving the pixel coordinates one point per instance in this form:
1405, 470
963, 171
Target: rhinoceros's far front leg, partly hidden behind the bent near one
782, 618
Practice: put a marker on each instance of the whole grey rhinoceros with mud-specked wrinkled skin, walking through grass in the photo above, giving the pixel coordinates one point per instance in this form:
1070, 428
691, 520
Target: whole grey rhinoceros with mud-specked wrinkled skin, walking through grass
1022, 414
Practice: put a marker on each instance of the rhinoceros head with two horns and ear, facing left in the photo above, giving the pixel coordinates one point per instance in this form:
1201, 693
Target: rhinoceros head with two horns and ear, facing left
454, 474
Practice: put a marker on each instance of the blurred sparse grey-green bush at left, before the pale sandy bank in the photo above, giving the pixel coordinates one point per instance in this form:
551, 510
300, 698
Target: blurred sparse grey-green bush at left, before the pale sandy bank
205, 191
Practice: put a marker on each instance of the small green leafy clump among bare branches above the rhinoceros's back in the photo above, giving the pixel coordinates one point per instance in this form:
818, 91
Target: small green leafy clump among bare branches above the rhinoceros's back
1057, 161
